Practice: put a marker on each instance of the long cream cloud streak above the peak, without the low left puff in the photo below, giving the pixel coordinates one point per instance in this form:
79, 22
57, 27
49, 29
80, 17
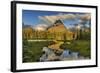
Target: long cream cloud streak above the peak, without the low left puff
52, 18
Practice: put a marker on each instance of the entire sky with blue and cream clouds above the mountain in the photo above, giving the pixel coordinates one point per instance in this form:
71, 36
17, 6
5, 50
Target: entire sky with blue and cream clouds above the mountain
46, 18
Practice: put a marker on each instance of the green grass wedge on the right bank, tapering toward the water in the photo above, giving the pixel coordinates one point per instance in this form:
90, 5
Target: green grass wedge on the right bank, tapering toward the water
81, 46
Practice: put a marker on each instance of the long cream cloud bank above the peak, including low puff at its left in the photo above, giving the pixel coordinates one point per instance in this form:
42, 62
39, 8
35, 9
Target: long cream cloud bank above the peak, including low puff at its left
49, 20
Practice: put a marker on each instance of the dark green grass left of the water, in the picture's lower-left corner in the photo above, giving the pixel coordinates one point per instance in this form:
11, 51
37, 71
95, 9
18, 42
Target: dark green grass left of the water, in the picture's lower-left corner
33, 50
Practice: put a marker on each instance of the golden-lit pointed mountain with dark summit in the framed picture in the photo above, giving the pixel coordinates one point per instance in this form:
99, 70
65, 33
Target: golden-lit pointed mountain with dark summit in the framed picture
61, 32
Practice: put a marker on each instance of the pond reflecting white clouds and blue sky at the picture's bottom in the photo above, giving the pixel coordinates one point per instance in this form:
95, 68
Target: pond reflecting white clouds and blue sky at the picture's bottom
50, 55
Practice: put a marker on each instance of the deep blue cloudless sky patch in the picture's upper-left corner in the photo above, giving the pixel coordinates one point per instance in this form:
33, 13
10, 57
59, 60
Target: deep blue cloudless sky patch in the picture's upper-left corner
30, 17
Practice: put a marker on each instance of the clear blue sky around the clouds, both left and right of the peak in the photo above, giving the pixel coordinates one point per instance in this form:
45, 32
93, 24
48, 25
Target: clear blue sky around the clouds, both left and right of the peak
31, 17
